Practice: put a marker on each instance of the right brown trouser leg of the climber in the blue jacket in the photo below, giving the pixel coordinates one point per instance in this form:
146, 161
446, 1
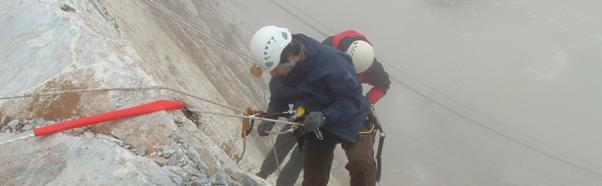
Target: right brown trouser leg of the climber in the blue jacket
361, 165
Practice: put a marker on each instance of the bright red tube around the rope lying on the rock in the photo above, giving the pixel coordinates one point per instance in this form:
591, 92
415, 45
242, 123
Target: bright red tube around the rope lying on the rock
108, 116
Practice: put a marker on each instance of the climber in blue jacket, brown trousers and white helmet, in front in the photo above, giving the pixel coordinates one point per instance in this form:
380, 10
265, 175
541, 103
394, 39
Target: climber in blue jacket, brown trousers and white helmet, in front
324, 81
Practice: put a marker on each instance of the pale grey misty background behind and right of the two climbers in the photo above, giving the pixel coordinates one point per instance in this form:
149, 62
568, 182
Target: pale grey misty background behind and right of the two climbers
484, 92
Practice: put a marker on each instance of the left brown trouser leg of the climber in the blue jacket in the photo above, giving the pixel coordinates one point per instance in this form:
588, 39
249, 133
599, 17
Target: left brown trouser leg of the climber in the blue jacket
317, 159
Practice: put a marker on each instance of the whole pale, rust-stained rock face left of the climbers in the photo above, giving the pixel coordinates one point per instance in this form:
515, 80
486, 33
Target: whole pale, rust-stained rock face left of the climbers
56, 45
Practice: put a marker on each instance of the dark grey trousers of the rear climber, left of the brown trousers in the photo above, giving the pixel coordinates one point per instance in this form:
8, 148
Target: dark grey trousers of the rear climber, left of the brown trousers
290, 173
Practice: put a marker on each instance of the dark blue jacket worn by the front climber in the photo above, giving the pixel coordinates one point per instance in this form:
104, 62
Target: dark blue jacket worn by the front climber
324, 81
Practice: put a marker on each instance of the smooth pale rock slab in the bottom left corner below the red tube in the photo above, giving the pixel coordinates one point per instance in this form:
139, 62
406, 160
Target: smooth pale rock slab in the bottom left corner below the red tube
67, 160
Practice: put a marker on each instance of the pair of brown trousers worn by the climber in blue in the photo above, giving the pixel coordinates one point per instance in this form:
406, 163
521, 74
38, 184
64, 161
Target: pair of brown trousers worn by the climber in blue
318, 156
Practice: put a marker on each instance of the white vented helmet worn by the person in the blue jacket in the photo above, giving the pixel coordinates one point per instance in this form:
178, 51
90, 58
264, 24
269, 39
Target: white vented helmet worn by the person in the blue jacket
267, 45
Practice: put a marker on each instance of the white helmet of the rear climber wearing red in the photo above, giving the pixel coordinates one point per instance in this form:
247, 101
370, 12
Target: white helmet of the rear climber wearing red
362, 55
